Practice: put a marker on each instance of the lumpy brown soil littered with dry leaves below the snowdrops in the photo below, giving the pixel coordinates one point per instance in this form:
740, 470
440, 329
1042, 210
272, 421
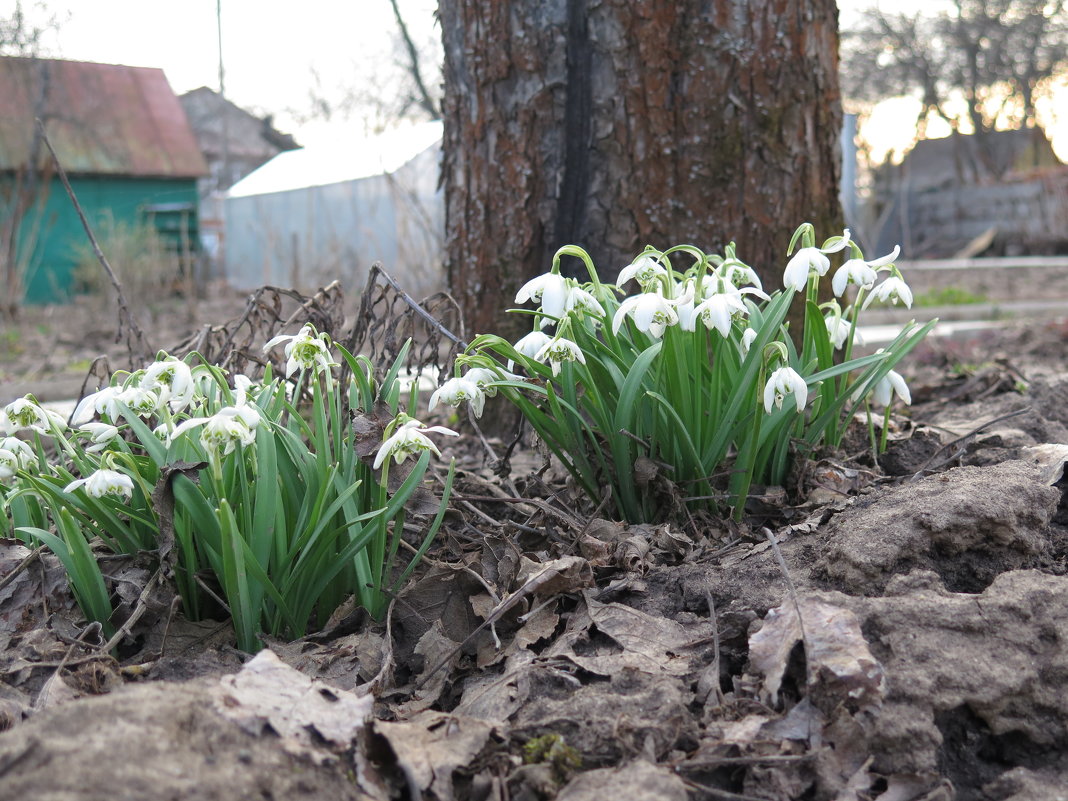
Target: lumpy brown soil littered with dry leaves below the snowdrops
898, 633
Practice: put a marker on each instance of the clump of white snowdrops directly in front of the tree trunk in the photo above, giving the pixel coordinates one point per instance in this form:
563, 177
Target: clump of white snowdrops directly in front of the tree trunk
697, 374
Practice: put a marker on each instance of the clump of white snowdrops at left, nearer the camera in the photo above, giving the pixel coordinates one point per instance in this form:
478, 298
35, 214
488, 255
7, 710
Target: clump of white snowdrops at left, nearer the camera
266, 494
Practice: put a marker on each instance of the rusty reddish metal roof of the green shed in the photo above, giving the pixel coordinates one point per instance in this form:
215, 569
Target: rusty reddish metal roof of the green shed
102, 119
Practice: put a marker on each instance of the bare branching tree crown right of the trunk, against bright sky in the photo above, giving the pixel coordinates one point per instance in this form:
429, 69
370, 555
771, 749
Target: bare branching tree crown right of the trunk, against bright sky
998, 56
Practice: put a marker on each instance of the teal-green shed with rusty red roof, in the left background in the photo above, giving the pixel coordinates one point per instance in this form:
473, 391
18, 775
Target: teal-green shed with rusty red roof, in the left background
123, 138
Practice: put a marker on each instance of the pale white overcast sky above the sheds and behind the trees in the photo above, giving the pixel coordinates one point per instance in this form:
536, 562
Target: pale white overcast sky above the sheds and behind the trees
274, 49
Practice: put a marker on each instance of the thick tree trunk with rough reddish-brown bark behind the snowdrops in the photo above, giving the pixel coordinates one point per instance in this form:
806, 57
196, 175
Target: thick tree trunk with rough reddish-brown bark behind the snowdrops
615, 124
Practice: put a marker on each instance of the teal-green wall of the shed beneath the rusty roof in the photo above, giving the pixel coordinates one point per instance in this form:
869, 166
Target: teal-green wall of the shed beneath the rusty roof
51, 235
